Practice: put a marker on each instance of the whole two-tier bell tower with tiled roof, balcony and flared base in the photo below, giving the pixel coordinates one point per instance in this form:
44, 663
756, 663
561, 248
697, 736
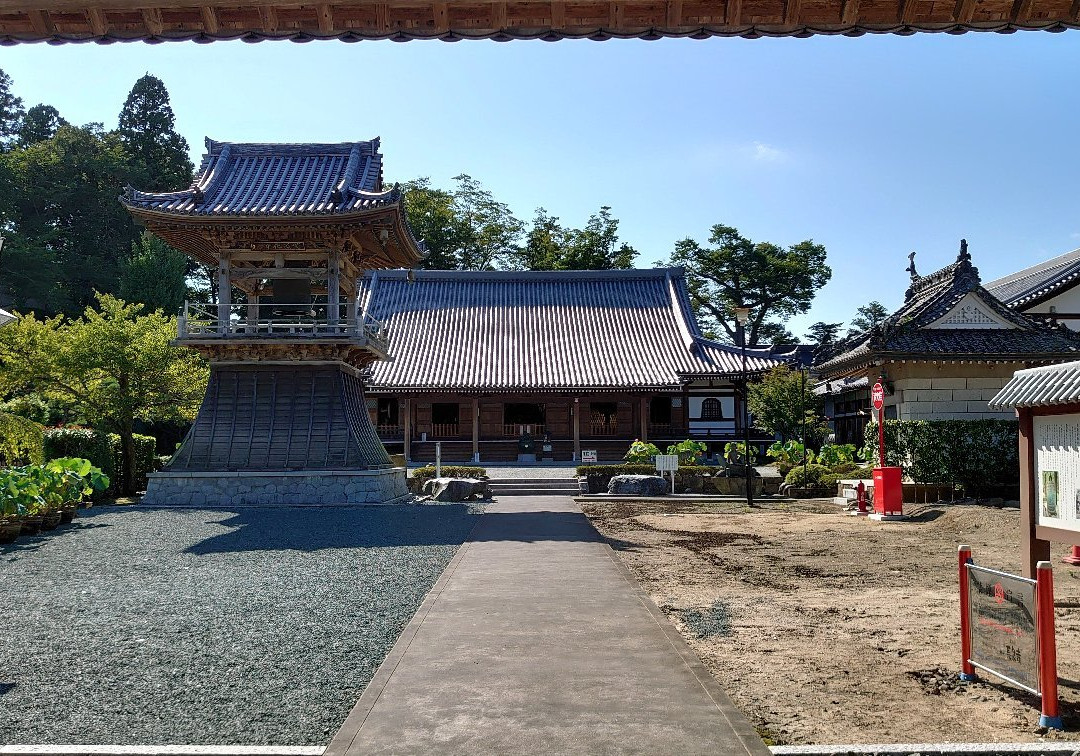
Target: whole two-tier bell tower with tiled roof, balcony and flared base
288, 232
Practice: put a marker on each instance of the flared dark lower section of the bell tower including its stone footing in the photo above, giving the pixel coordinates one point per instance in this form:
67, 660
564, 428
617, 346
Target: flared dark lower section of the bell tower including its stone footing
280, 435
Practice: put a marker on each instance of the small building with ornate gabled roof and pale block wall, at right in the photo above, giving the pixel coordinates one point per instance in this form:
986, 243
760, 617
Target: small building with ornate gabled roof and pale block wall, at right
948, 350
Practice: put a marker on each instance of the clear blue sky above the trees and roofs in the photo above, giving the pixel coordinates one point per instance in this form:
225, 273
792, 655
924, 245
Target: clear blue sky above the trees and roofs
874, 146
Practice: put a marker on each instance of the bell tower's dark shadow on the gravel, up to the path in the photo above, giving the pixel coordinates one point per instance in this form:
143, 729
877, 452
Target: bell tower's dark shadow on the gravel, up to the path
316, 529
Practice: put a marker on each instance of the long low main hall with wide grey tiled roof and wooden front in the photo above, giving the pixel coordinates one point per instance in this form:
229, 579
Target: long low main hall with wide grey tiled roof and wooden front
589, 359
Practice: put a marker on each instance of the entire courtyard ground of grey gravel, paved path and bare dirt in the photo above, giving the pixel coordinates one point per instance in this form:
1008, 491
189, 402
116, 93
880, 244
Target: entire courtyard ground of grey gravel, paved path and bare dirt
514, 628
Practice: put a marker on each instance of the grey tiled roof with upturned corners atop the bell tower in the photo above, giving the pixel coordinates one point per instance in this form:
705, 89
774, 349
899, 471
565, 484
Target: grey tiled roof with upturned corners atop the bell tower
264, 181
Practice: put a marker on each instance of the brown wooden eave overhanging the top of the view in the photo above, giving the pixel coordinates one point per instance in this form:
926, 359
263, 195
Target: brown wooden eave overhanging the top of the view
78, 21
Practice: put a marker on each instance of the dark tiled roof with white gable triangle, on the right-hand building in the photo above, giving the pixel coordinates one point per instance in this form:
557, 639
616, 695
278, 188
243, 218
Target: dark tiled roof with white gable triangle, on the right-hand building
906, 335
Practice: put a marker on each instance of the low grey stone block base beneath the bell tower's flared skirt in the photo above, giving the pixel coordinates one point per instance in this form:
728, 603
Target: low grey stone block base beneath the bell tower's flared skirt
294, 489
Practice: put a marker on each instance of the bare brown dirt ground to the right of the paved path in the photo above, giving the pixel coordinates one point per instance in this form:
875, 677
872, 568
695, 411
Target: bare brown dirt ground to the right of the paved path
826, 628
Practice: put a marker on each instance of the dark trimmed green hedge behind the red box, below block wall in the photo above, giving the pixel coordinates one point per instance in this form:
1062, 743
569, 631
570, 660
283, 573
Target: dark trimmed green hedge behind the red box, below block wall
980, 456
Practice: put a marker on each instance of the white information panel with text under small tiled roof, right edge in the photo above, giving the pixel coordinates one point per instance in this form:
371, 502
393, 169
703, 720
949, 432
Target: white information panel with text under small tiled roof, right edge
1058, 470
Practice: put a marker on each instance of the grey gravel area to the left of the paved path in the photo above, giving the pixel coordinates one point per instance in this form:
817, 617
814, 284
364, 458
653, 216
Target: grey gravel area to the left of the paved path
259, 627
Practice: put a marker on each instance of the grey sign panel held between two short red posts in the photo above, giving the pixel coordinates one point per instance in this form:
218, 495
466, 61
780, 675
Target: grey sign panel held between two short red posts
1003, 622
